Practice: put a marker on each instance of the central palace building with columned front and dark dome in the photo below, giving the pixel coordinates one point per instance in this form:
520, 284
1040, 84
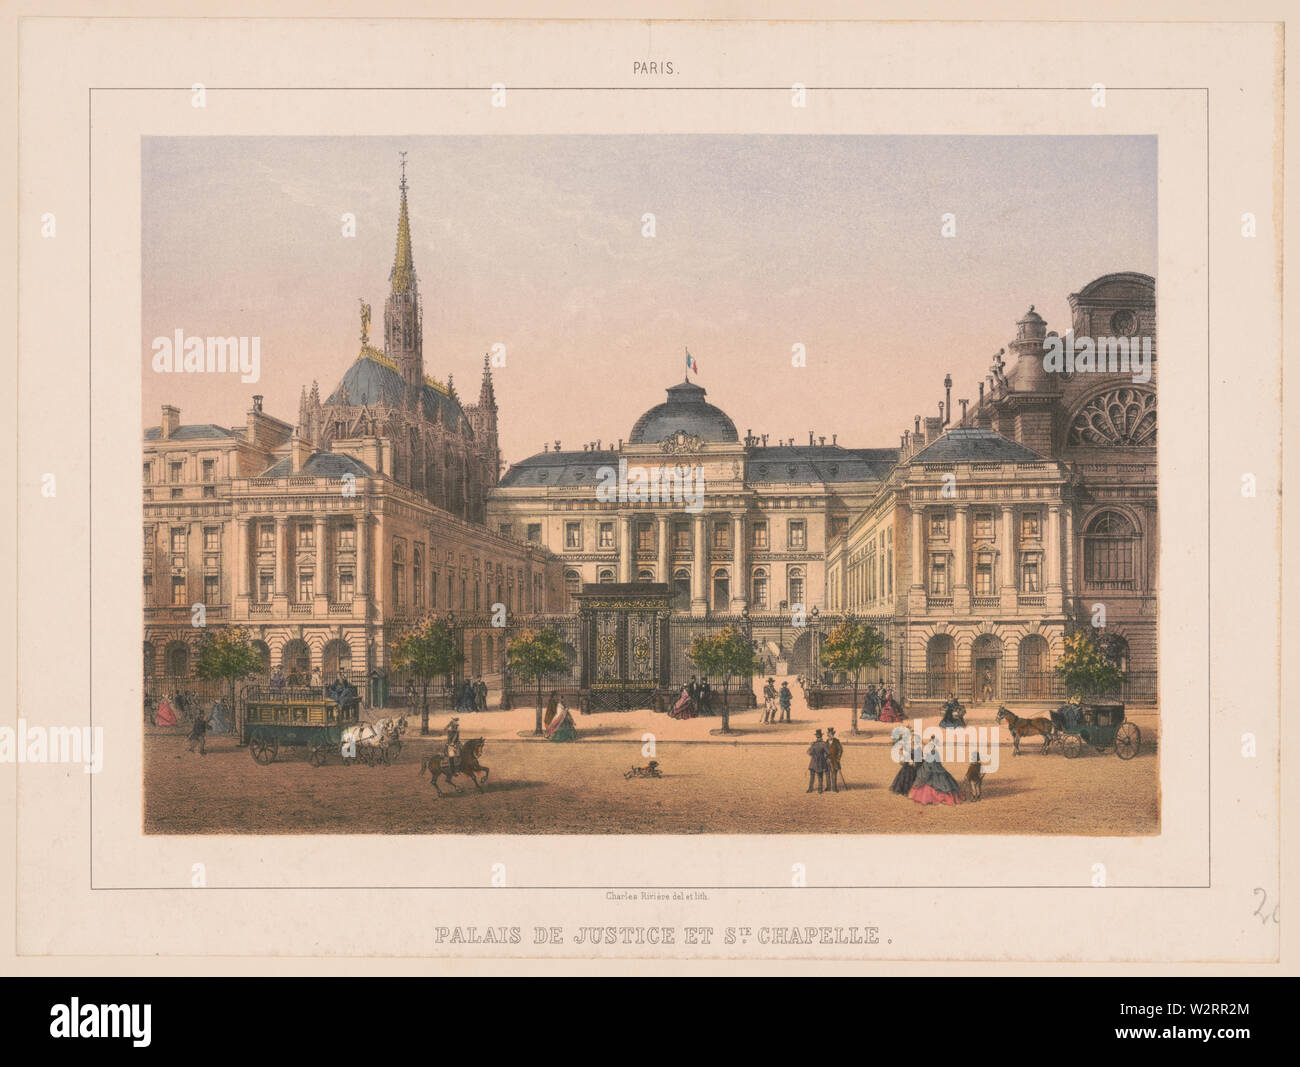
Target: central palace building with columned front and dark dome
729, 523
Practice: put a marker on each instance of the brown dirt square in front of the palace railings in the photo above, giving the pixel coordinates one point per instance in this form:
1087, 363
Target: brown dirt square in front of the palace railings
752, 784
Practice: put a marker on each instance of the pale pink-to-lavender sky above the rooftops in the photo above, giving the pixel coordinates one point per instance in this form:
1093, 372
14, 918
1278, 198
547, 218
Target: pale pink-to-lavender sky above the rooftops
536, 242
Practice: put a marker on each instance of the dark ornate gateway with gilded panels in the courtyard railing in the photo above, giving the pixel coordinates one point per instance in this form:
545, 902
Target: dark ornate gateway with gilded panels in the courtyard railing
625, 644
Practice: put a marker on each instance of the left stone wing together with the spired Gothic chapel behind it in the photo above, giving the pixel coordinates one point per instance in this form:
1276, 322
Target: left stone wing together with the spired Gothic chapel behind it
326, 537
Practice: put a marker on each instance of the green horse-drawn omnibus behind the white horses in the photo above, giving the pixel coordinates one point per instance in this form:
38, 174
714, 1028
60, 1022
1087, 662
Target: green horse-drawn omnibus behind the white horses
314, 718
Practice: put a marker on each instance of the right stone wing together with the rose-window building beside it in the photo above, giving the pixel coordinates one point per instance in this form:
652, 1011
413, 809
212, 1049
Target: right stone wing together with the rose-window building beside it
1032, 515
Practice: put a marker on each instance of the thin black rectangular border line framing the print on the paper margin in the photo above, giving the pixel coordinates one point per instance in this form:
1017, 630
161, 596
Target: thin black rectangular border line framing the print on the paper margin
90, 552
